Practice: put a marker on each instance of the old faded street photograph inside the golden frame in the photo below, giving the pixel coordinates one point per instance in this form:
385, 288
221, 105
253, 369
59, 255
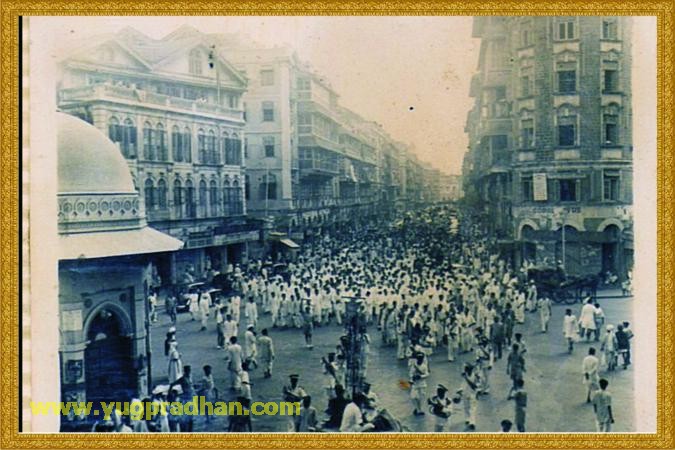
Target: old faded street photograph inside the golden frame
342, 224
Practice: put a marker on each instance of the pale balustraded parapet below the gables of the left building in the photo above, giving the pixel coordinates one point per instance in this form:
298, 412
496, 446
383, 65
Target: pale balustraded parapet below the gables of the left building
123, 94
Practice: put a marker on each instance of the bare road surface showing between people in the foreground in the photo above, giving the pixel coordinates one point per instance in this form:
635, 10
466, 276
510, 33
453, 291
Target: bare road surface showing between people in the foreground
556, 396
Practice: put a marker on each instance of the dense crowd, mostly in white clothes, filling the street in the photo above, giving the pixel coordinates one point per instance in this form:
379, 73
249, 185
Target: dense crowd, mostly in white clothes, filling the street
428, 282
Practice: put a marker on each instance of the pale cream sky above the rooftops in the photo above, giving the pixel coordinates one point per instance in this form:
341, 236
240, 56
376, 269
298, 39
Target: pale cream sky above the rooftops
380, 66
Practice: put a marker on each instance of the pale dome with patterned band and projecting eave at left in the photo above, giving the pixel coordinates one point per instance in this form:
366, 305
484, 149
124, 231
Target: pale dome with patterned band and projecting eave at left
100, 212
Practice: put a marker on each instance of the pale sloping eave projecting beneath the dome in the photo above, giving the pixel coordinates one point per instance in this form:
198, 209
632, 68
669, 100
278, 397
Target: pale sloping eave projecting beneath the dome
104, 244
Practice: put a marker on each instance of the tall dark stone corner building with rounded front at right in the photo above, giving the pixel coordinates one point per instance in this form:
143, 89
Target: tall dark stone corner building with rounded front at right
550, 141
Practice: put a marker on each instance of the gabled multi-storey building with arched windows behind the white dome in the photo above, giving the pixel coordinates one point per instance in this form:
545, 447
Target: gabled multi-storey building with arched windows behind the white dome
173, 107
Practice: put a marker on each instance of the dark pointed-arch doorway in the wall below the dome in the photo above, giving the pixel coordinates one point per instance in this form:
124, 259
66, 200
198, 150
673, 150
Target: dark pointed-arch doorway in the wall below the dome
109, 364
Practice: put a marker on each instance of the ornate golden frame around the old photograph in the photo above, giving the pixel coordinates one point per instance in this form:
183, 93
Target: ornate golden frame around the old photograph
10, 10
